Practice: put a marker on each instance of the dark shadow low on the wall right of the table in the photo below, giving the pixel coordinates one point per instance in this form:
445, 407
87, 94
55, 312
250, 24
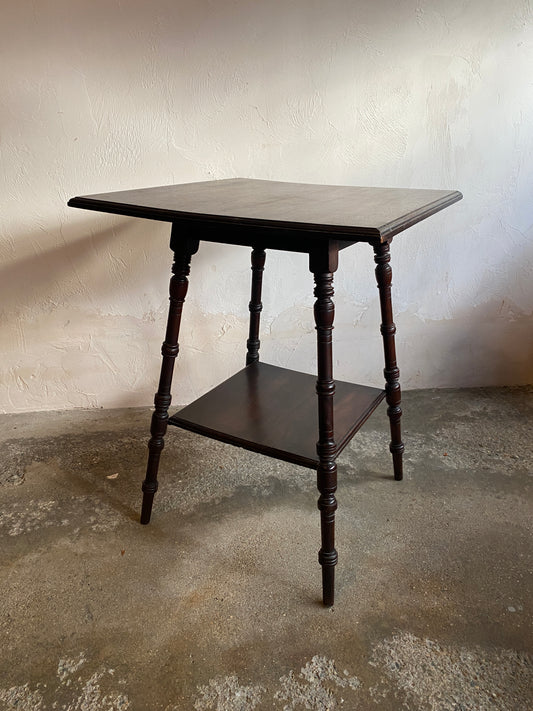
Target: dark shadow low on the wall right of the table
487, 342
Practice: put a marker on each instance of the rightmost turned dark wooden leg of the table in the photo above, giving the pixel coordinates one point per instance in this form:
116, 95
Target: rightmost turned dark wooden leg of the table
391, 372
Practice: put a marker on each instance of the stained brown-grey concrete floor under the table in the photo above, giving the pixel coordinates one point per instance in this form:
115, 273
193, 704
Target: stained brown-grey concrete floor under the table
215, 604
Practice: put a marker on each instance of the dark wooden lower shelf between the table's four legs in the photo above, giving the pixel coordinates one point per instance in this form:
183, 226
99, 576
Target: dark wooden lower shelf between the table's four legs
274, 411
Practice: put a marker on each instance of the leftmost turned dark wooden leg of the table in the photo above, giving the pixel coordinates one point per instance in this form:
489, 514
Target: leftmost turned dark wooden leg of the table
178, 290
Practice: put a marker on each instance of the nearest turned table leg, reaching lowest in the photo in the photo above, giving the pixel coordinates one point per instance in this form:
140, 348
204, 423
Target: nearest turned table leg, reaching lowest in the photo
324, 312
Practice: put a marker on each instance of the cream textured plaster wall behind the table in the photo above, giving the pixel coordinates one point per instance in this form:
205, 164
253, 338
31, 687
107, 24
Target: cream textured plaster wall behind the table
110, 95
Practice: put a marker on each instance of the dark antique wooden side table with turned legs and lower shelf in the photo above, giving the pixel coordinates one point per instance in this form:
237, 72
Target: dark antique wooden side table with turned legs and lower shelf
264, 408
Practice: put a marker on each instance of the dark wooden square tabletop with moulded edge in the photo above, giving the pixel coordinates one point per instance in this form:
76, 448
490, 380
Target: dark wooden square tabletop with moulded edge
350, 214
